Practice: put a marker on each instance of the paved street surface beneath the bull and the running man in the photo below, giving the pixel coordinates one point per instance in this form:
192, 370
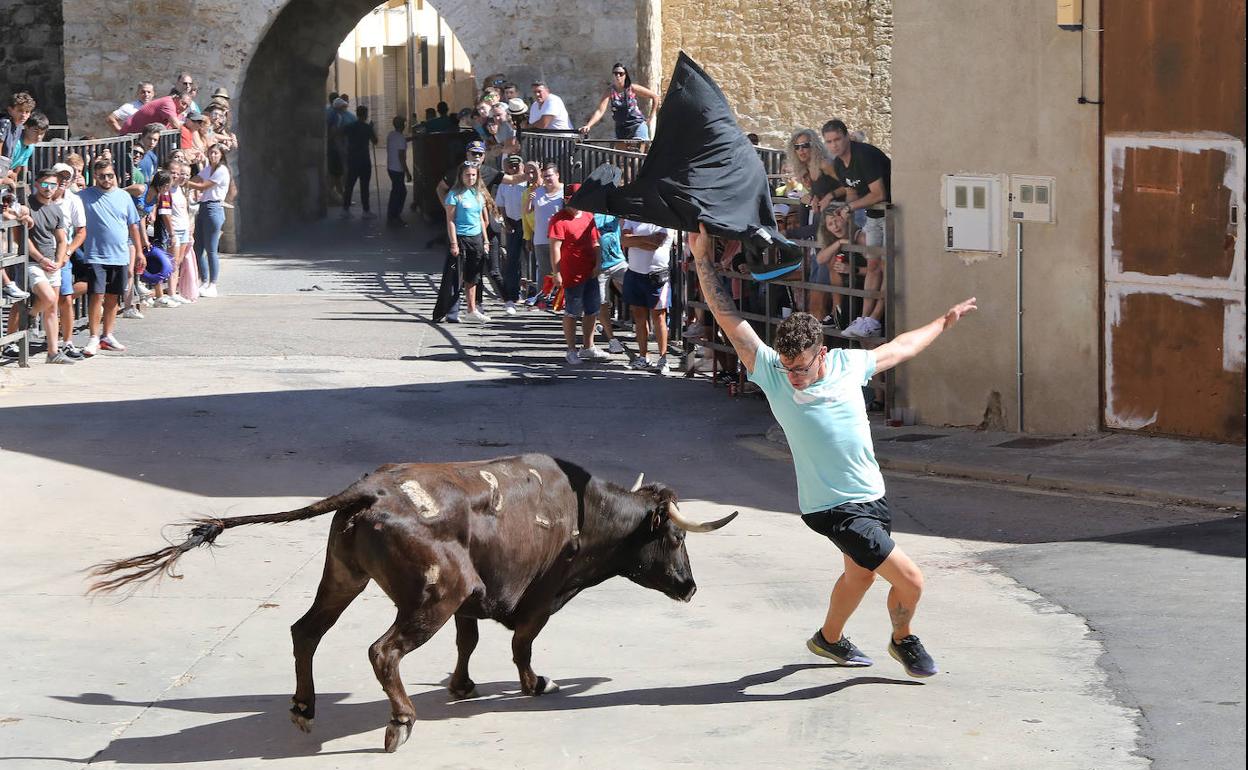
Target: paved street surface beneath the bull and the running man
1073, 632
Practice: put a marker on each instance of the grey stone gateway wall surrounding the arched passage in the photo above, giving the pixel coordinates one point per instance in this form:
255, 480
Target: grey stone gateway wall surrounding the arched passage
274, 56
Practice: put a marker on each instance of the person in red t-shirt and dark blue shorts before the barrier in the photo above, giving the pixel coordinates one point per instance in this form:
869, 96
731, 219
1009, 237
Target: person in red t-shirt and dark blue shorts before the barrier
575, 260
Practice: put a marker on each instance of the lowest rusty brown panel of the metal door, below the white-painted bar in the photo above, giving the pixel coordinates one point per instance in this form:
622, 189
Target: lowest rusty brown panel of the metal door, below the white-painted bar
1175, 364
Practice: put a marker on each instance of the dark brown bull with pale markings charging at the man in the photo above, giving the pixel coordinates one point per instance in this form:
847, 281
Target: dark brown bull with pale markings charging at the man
511, 540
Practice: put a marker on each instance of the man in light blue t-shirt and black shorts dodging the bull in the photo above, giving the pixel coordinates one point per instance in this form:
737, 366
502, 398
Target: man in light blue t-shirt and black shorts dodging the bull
817, 396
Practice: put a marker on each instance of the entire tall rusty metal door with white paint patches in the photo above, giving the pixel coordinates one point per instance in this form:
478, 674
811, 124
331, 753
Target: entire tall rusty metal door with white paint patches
1174, 203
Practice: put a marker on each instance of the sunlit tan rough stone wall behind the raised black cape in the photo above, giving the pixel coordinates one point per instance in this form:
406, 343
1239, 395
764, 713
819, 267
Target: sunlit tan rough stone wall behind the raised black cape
788, 64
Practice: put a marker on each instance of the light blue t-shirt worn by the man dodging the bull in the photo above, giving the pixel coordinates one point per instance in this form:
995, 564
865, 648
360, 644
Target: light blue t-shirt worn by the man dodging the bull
827, 427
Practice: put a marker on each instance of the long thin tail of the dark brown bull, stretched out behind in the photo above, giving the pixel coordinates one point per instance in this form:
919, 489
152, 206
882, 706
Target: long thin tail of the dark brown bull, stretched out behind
137, 571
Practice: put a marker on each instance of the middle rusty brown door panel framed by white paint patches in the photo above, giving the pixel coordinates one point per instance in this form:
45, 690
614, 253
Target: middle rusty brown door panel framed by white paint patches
1175, 213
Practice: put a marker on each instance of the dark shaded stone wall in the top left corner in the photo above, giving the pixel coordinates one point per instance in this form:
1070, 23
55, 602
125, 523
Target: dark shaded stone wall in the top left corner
31, 49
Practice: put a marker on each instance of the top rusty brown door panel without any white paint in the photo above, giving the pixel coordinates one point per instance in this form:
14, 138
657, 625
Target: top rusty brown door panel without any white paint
1174, 66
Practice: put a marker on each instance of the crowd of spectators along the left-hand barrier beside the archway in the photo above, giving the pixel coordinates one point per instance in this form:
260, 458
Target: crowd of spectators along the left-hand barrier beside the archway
122, 235
